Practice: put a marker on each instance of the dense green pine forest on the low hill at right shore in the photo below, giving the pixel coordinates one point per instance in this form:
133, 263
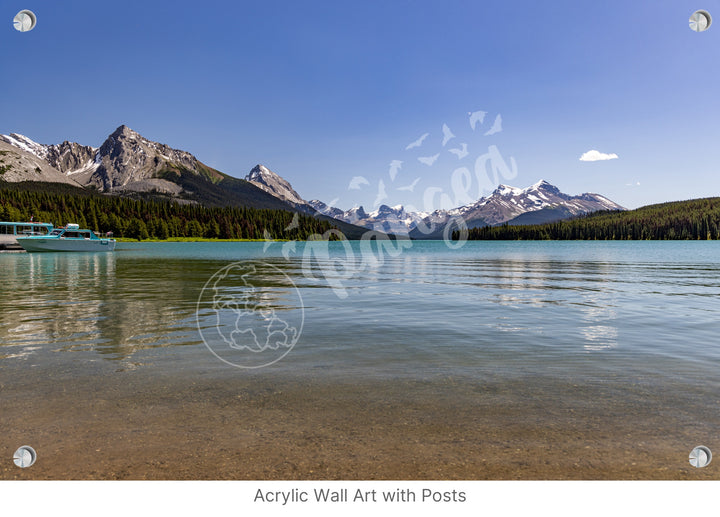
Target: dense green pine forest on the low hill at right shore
680, 220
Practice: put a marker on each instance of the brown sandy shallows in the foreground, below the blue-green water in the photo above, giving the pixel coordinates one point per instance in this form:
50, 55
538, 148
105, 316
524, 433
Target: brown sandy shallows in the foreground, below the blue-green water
269, 428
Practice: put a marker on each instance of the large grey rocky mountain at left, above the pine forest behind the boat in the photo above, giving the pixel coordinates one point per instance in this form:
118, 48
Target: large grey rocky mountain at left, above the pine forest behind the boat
128, 164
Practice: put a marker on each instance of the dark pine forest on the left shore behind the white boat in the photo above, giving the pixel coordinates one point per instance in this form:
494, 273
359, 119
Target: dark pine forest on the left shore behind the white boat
147, 219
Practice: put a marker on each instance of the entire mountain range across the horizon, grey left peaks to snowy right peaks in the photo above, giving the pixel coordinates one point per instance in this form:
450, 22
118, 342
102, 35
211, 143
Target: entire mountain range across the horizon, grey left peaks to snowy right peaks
128, 164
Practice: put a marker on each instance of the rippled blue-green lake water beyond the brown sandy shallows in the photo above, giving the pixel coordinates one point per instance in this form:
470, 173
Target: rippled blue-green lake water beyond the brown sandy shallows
611, 313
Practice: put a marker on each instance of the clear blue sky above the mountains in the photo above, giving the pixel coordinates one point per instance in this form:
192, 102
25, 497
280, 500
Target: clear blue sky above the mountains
322, 92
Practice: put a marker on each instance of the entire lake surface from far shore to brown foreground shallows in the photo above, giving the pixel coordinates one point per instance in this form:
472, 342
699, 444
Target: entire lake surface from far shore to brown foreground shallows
510, 360
